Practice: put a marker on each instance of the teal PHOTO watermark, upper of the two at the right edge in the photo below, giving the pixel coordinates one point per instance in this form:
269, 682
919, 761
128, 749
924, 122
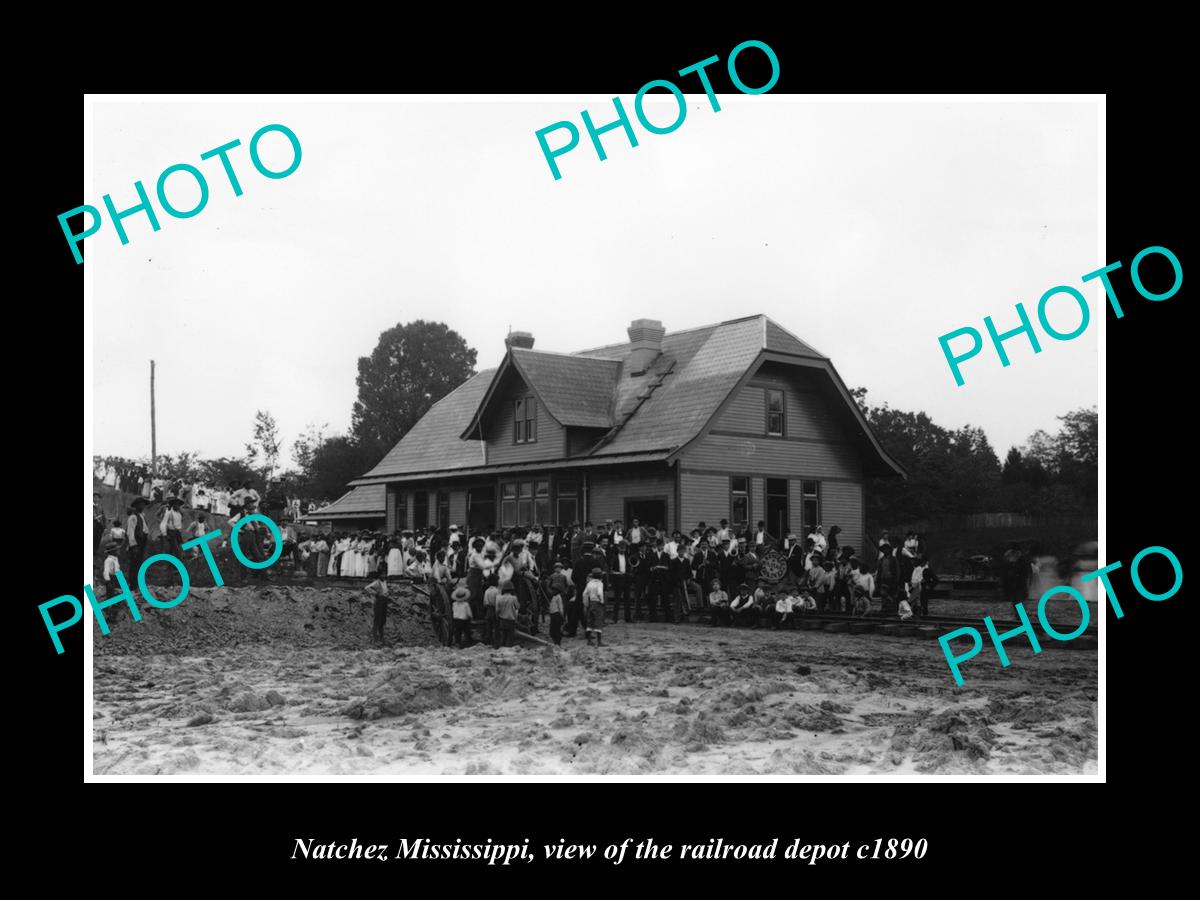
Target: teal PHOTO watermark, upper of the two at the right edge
1069, 296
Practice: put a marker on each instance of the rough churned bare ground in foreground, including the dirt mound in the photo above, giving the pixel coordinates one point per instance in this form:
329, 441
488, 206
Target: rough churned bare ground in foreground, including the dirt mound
309, 695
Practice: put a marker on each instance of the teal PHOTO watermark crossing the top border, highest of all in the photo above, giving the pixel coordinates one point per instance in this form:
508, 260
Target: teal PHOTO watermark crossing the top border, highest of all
623, 122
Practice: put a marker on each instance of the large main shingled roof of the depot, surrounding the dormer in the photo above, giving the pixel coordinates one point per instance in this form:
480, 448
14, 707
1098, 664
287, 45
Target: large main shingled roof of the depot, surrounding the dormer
695, 375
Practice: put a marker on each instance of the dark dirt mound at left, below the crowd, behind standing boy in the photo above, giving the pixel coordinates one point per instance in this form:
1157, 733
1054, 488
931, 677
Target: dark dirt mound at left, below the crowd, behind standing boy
265, 615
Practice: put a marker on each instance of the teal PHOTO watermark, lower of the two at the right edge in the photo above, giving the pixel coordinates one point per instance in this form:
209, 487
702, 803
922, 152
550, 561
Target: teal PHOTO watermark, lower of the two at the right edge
1027, 627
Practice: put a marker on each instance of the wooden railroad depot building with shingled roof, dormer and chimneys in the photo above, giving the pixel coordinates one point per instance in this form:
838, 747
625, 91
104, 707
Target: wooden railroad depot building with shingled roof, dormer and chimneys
741, 421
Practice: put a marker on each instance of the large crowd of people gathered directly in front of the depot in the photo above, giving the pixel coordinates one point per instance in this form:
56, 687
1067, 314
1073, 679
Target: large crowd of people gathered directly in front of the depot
575, 579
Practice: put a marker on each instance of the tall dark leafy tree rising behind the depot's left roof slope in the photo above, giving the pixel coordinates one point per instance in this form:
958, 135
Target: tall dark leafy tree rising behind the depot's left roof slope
411, 369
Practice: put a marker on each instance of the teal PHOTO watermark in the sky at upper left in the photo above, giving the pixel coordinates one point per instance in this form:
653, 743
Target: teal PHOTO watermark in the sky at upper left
185, 171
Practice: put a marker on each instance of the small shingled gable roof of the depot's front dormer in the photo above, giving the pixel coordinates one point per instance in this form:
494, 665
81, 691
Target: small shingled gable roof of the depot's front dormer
575, 391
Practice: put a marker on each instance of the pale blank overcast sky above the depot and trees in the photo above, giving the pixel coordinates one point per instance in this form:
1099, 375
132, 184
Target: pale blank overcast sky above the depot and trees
868, 230
